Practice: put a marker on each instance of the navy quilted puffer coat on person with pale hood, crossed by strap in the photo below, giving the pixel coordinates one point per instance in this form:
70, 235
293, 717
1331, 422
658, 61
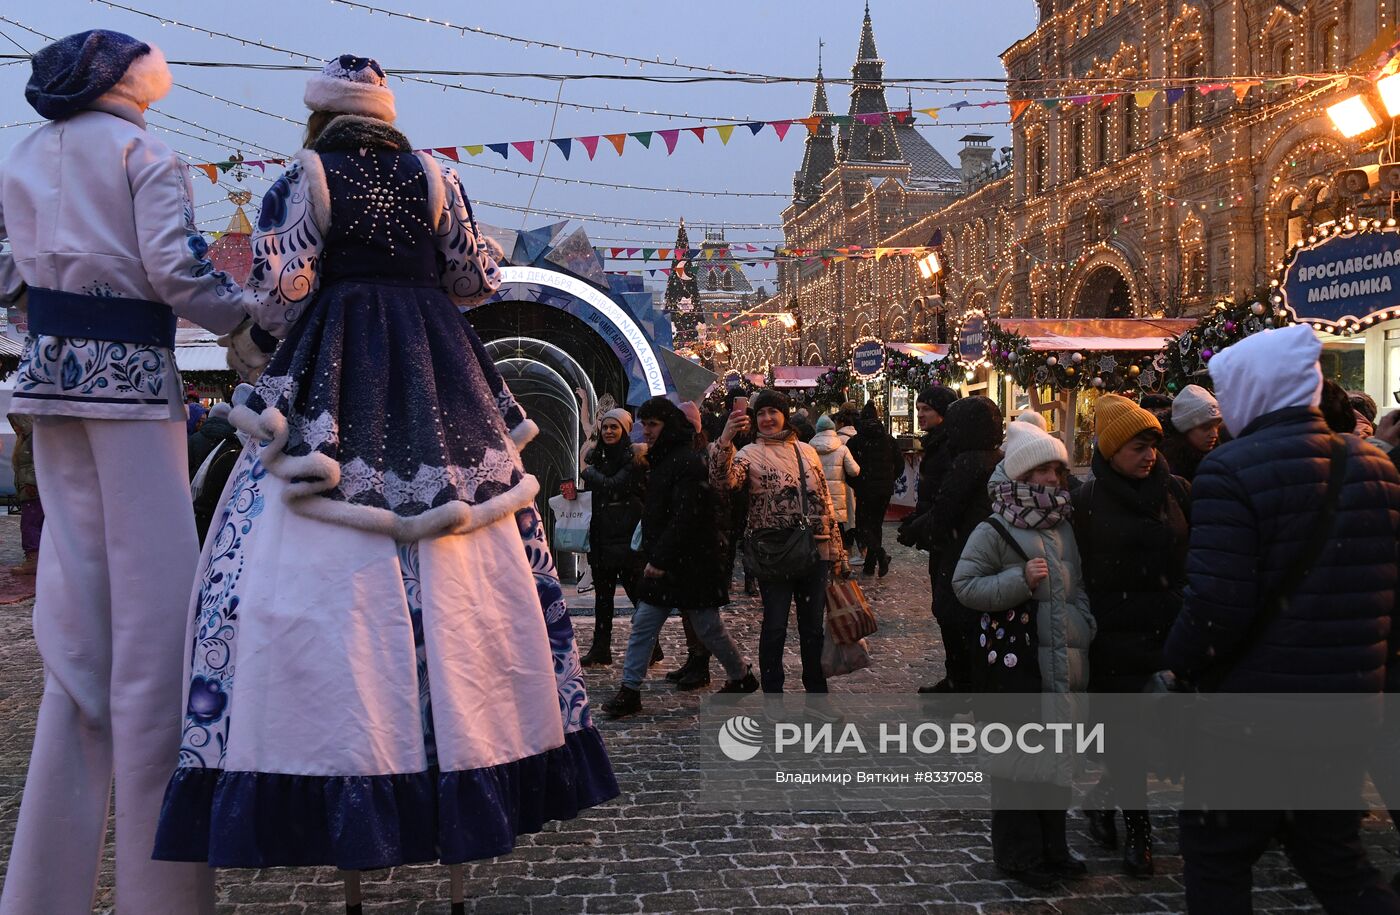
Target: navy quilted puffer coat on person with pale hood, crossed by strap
1254, 504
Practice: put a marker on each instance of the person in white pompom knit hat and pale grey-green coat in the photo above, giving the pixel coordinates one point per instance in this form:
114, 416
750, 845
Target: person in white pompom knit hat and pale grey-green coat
1032, 510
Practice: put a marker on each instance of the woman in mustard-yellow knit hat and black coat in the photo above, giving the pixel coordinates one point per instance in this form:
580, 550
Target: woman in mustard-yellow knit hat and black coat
1132, 527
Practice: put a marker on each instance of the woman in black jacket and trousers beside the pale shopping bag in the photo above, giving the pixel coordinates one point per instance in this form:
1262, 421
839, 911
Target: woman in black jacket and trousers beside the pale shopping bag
618, 481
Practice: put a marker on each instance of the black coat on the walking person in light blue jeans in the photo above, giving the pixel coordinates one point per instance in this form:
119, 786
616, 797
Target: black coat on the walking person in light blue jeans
680, 527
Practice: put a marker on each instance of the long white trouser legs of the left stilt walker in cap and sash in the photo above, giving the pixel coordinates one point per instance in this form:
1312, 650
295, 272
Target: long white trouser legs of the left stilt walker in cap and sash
115, 573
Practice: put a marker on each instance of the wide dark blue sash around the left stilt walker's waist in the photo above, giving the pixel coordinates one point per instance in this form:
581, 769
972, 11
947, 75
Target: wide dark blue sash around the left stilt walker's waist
101, 318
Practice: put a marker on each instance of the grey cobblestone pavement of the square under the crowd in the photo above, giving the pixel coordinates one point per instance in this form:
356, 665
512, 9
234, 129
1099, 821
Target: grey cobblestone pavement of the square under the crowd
659, 849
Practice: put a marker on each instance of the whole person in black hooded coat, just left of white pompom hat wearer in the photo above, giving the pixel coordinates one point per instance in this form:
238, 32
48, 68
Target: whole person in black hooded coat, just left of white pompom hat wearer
962, 503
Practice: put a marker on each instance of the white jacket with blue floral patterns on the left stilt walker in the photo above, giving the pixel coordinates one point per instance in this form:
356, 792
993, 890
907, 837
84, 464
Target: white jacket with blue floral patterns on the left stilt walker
93, 205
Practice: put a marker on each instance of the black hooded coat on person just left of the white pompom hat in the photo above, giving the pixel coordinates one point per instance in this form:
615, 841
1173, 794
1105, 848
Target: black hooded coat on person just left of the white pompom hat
962, 503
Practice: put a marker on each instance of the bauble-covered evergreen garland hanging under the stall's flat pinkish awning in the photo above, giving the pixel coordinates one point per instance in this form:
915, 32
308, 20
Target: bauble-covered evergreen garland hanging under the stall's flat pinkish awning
1116, 373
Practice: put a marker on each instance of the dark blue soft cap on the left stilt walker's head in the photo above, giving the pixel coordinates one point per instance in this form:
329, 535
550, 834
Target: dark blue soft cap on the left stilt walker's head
75, 72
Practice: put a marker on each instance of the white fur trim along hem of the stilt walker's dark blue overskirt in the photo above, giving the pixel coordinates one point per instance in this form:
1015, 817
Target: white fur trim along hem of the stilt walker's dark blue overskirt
311, 475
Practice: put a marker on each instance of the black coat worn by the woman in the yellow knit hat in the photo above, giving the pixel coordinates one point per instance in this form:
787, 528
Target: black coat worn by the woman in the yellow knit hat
1133, 539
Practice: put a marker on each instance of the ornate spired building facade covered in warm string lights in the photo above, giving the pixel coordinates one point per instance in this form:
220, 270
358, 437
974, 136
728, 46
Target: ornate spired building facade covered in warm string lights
1100, 211
